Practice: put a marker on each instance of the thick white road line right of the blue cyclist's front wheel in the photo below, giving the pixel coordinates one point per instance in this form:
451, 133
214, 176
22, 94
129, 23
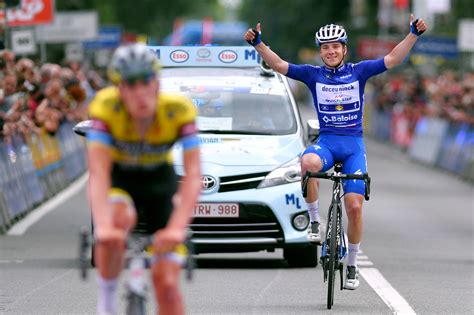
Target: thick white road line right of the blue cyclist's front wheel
387, 293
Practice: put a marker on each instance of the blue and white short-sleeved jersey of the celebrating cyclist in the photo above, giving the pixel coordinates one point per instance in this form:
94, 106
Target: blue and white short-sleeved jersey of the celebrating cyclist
338, 94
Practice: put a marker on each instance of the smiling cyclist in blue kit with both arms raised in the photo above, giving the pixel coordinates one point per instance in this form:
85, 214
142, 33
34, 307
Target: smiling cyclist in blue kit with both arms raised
338, 93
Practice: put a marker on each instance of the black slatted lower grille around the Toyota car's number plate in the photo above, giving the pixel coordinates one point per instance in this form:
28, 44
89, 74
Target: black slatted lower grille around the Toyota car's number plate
254, 222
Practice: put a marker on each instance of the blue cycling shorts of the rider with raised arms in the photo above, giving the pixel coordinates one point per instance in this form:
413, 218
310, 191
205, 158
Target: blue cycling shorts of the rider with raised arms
346, 149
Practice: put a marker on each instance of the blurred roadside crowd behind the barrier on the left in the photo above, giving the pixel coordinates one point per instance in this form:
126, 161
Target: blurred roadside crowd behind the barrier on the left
37, 98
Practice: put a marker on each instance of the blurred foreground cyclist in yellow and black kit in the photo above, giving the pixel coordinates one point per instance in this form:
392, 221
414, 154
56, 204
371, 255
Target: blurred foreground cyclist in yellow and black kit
131, 174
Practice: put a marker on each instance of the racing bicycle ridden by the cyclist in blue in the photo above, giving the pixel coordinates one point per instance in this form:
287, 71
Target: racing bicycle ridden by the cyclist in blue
334, 247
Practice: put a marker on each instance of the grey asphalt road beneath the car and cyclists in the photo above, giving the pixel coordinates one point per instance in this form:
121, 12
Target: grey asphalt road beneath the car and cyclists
418, 257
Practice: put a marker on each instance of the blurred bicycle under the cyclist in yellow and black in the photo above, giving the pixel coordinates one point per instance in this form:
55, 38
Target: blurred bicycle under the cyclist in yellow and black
139, 257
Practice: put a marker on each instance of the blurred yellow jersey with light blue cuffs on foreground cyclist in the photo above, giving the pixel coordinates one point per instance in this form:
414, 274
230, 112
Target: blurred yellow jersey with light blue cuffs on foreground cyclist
113, 127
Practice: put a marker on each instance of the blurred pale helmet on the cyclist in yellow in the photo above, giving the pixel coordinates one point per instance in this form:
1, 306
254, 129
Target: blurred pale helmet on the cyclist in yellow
132, 61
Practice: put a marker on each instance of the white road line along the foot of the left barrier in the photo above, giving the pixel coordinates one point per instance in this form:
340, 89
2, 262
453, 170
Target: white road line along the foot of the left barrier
35, 215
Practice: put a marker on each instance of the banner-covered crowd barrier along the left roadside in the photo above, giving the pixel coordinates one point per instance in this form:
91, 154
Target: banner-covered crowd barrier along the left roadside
35, 168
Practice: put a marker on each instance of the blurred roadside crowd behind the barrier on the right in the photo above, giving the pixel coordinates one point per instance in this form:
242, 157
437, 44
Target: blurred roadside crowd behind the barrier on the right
408, 97
